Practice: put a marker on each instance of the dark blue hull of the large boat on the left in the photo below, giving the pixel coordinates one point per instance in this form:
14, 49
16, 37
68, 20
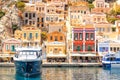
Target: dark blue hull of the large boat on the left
27, 69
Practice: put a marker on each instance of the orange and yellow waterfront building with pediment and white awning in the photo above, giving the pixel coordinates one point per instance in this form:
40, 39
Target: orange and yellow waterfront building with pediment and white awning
55, 47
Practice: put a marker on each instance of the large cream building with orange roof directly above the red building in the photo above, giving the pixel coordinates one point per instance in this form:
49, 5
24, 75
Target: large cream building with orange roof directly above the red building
79, 13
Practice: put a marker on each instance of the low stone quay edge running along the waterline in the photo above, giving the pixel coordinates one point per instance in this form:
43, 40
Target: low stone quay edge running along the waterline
59, 65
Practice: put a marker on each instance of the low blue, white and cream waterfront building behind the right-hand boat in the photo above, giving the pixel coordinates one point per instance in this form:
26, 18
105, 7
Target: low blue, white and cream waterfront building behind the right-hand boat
107, 45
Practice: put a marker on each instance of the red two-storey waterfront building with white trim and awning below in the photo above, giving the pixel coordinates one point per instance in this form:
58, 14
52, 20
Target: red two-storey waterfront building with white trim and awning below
84, 44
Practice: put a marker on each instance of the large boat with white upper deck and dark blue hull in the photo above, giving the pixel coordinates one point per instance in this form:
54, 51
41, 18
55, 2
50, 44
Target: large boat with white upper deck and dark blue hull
28, 61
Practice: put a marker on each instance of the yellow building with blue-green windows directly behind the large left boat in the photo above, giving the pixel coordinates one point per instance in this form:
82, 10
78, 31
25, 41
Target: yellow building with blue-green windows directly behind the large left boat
30, 36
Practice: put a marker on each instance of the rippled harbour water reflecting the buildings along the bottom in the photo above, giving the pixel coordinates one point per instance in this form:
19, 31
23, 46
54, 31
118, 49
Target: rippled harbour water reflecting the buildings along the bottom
76, 73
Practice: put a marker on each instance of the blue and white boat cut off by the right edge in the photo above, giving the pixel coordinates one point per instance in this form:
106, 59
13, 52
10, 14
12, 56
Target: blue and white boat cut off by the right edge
111, 60
